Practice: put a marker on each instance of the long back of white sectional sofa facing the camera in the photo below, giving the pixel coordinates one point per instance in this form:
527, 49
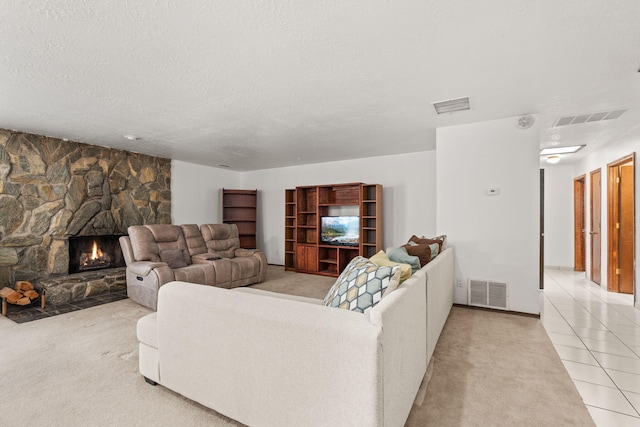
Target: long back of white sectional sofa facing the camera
260, 352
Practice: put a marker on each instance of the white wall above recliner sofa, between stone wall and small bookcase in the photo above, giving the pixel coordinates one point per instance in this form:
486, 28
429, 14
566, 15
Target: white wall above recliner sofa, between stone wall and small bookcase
196, 192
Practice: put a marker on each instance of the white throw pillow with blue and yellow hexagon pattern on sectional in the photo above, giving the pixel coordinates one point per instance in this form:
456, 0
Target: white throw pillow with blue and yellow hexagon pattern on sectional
361, 285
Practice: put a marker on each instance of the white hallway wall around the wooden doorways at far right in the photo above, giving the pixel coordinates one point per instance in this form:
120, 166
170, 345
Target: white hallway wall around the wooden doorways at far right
626, 145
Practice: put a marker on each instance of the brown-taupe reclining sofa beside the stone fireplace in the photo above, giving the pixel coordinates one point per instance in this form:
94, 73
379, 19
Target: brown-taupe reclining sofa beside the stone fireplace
161, 253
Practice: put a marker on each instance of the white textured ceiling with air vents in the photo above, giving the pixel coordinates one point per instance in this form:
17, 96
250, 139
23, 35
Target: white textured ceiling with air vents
262, 84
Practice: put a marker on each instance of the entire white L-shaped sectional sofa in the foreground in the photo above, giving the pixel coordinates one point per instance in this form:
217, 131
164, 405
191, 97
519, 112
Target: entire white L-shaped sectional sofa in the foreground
267, 359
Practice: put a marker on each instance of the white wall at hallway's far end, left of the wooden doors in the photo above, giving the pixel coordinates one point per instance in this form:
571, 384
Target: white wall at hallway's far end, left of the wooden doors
558, 216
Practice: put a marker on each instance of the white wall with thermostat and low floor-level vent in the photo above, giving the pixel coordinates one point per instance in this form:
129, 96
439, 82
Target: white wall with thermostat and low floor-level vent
495, 237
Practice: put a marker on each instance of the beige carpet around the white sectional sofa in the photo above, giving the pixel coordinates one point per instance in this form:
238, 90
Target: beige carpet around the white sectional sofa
80, 368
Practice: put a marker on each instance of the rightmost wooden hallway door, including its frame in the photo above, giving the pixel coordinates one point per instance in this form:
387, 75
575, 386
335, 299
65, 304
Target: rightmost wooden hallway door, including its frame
621, 227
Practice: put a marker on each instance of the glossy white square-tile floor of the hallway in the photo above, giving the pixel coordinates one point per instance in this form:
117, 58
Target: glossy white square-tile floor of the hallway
597, 335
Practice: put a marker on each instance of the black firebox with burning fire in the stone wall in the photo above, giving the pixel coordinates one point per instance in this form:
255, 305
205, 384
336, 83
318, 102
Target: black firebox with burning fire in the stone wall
94, 253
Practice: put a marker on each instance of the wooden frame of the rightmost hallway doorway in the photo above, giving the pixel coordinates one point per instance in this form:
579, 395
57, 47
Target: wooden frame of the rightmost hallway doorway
613, 217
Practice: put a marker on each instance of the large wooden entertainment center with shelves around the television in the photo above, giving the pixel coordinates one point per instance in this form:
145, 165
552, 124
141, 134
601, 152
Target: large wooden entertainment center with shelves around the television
305, 206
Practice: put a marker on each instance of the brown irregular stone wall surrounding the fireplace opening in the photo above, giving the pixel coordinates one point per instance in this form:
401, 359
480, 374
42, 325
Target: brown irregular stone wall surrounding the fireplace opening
51, 189
